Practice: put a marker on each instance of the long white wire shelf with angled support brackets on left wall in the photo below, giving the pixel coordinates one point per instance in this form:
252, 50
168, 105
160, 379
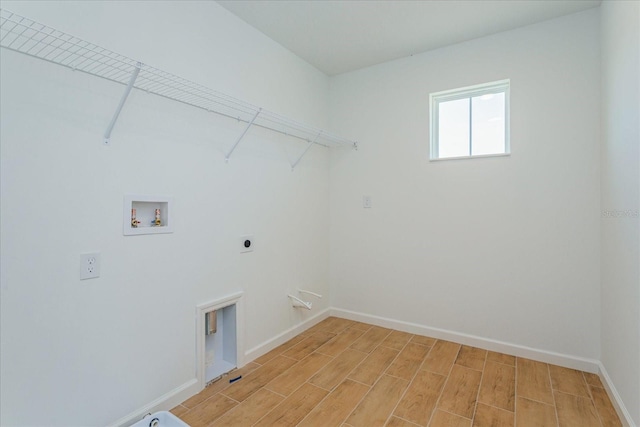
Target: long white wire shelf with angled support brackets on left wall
29, 37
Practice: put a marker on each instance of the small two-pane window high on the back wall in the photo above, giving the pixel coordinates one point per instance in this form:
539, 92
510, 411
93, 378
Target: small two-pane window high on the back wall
470, 122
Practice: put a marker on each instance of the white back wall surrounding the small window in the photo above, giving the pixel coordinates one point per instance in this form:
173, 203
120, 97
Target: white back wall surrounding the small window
501, 248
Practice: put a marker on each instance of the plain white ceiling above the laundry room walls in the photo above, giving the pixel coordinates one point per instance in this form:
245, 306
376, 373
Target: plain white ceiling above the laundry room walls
341, 36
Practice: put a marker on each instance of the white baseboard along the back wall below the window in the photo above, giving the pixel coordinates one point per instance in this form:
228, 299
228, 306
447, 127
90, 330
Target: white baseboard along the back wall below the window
574, 362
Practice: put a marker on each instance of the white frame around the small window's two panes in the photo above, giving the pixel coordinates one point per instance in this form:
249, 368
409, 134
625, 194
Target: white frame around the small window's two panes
501, 86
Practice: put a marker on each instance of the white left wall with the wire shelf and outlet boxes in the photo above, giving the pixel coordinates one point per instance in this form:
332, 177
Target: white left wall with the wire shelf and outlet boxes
90, 352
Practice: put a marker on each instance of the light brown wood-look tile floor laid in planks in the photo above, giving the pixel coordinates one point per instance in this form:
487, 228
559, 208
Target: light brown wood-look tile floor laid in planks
346, 373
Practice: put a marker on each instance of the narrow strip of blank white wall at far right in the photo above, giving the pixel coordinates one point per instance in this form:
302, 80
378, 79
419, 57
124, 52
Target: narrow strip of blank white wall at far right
621, 199
